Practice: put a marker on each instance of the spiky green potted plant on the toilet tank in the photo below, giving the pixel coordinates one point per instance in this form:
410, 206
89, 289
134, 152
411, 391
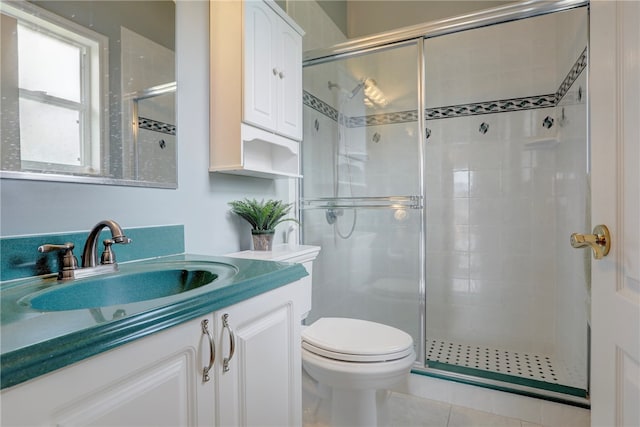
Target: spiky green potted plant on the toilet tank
263, 217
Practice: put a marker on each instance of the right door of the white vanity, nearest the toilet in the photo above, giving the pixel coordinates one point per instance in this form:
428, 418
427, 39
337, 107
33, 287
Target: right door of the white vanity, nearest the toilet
260, 386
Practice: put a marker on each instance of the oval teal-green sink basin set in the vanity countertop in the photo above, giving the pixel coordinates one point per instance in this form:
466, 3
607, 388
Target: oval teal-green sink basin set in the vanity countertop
124, 287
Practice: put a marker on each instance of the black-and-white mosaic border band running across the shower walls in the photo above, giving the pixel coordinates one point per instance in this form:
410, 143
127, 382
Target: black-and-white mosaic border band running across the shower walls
472, 109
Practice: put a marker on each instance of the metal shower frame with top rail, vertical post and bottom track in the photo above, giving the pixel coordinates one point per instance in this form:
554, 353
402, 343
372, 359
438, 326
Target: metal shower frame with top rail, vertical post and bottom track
418, 34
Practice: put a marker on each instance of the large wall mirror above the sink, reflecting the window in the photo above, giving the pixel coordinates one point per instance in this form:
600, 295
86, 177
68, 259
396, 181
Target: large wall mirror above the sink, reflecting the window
88, 92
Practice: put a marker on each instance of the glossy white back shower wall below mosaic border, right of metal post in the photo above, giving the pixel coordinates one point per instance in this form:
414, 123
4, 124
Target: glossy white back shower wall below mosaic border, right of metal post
489, 204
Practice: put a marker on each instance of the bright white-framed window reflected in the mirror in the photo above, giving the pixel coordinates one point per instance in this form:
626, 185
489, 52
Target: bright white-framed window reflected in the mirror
59, 90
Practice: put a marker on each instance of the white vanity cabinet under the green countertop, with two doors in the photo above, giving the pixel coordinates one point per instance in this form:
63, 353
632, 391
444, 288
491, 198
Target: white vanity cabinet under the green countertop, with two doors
158, 380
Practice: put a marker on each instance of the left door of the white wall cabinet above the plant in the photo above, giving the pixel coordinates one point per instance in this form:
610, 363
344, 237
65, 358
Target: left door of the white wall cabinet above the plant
260, 67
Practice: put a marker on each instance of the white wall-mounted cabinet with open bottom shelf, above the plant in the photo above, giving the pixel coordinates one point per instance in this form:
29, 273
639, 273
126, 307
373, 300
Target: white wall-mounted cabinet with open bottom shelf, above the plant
256, 89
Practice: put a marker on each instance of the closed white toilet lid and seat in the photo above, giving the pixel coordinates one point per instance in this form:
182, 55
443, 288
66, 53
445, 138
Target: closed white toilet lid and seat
356, 340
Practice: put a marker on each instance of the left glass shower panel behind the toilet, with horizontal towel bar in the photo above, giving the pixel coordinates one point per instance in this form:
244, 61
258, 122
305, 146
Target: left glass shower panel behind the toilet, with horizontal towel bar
361, 196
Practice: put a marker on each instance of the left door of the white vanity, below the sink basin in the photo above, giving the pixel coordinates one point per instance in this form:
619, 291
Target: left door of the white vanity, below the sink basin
154, 381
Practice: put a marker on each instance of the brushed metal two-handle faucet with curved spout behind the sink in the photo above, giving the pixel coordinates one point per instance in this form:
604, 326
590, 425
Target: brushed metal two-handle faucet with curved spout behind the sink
69, 265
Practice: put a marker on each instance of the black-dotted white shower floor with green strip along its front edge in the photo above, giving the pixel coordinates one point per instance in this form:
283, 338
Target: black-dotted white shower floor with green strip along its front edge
533, 371
